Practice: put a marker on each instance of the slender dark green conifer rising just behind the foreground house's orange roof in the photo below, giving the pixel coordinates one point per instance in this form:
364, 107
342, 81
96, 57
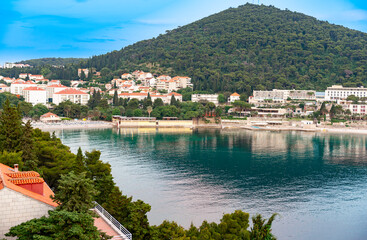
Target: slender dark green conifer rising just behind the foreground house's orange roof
27, 146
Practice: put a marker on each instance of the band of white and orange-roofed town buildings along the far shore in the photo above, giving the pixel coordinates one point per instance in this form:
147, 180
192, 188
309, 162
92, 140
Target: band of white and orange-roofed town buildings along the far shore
140, 85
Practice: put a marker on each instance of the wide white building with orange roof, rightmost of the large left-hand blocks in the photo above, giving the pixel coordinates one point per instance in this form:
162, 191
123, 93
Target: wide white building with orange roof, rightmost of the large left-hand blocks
73, 95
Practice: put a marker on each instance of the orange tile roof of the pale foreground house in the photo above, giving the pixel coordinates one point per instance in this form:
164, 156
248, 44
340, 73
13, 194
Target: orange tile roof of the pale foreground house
9, 179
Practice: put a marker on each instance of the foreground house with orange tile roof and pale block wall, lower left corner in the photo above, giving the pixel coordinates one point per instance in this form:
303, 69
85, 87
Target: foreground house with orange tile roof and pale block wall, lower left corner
23, 196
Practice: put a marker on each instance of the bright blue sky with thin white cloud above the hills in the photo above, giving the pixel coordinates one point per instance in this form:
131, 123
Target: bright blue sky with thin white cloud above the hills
82, 28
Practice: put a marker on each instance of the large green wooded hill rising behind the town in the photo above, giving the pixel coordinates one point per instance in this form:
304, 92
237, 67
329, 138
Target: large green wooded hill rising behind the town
250, 47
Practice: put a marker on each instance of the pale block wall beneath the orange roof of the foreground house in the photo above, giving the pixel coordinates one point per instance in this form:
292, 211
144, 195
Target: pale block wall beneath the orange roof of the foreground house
16, 208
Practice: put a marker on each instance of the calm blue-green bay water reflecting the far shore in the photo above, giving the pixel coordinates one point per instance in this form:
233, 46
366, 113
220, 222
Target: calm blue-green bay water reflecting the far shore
317, 183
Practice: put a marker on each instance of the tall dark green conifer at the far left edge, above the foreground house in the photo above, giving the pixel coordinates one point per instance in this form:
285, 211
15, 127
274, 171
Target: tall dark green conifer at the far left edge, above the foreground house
11, 129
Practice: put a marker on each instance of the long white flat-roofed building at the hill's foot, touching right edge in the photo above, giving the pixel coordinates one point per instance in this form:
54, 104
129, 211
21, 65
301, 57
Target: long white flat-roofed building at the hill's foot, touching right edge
337, 92
